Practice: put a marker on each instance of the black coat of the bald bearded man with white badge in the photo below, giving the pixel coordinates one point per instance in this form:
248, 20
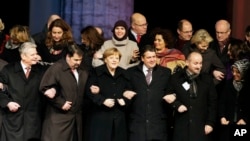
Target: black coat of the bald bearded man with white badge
201, 111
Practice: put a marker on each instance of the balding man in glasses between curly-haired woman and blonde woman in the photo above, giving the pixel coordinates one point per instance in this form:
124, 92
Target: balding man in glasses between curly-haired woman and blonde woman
185, 33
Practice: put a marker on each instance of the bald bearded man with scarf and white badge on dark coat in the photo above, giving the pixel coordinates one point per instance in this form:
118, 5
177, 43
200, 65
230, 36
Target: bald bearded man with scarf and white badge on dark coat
193, 96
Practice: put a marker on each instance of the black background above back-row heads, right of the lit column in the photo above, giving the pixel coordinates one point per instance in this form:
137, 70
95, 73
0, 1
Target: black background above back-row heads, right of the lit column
167, 13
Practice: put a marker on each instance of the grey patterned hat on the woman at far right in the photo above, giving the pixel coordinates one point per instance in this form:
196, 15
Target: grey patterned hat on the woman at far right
242, 66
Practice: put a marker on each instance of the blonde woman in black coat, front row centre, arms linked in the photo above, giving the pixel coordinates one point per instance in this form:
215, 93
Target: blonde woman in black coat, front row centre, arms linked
107, 120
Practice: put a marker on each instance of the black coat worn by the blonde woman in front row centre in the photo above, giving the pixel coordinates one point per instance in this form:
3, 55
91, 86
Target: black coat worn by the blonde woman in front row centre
106, 123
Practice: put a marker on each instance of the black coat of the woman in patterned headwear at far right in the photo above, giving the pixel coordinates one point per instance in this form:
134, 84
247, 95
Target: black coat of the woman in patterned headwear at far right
233, 106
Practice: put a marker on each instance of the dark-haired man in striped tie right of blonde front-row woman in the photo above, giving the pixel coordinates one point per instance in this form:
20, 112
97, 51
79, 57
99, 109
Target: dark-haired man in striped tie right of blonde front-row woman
148, 111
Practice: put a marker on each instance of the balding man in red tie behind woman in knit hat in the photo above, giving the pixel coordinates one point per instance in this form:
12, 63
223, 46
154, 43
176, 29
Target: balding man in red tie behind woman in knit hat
138, 30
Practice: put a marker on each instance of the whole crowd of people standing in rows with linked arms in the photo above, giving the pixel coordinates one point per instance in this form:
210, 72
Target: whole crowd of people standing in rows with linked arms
139, 85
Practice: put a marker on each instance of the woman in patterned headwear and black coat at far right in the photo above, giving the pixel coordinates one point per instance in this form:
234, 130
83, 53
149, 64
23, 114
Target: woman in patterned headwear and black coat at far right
234, 106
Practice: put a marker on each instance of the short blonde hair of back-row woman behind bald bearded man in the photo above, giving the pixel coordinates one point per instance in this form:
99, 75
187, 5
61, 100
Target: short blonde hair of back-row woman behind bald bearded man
200, 36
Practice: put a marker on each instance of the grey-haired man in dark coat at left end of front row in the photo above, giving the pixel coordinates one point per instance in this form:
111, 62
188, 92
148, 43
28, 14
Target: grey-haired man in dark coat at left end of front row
21, 101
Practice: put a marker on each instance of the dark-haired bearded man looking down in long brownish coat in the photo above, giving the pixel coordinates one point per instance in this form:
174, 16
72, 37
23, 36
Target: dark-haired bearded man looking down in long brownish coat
64, 84
